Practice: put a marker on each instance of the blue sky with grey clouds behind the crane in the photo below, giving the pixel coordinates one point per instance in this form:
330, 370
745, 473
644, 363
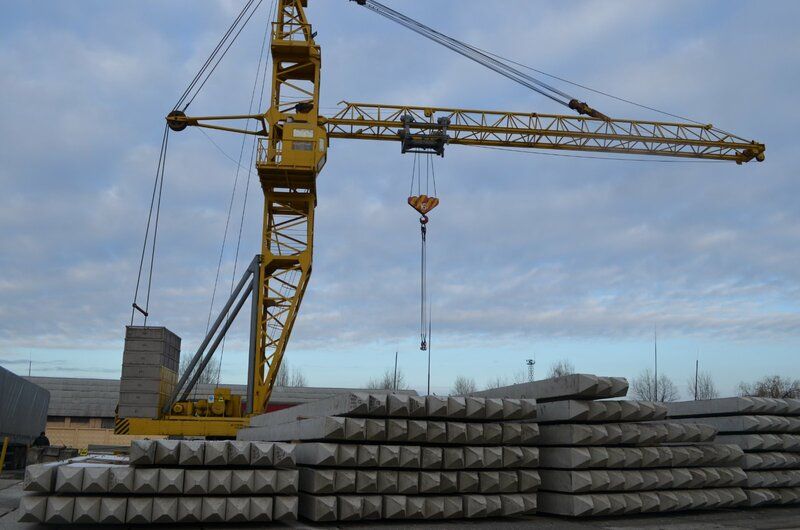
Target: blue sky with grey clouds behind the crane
530, 255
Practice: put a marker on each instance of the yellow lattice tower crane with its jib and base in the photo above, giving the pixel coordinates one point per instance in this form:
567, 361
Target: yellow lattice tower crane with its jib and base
293, 148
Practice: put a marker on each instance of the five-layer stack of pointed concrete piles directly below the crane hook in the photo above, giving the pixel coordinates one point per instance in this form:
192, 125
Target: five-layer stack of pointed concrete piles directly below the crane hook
371, 457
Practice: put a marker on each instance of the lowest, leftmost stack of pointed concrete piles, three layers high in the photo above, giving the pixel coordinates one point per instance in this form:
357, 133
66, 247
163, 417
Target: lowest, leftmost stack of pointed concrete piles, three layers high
167, 482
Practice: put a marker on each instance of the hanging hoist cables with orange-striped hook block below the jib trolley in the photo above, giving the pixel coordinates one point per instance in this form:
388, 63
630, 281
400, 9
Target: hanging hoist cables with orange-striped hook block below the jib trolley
423, 203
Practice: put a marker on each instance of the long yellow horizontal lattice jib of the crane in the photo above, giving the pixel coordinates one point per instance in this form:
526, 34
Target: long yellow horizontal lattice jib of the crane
546, 131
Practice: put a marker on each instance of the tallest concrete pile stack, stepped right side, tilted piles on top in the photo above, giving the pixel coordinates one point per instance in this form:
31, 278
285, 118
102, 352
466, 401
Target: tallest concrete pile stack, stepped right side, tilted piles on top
604, 458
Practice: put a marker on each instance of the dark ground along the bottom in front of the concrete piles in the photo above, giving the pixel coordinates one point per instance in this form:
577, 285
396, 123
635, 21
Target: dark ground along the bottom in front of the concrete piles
762, 519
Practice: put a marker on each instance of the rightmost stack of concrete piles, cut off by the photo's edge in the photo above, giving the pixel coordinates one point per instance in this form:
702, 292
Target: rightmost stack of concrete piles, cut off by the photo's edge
767, 430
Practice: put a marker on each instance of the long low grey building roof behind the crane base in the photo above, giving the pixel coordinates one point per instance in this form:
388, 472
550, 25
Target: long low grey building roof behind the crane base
98, 398
